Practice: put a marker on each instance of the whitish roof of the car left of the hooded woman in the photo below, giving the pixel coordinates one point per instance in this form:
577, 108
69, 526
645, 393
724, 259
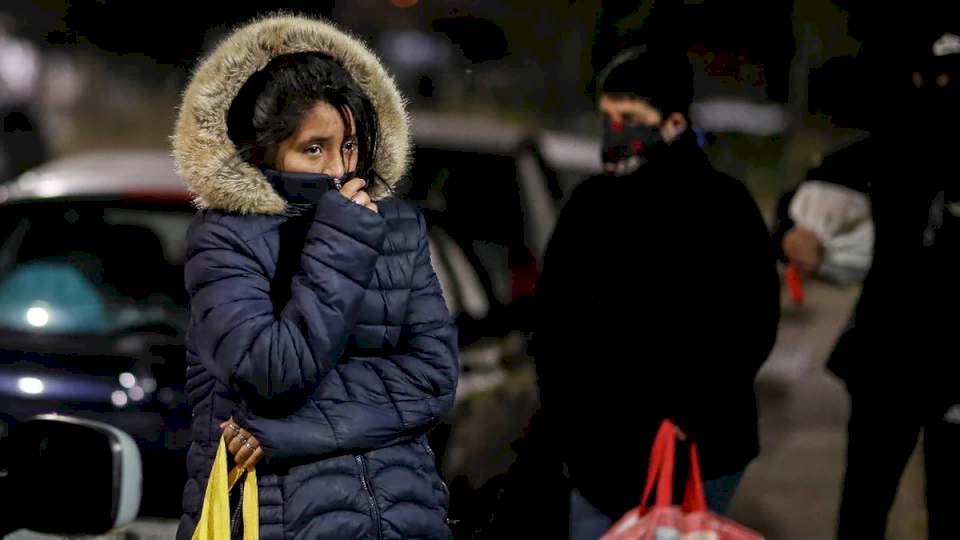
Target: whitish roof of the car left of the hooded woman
109, 173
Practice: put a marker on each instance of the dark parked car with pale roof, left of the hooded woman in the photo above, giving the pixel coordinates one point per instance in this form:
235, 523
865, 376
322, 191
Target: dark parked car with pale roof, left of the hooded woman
93, 307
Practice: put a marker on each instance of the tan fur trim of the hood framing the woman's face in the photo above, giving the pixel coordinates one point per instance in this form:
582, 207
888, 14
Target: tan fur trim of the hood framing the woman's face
206, 157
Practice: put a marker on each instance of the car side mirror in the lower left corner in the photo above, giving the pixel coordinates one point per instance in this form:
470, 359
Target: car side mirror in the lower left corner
68, 476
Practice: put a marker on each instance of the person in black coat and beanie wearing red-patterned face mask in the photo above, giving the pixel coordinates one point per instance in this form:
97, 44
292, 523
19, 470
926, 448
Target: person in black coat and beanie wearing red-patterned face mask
659, 299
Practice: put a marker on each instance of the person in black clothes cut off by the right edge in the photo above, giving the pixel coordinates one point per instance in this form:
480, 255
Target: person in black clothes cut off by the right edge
895, 356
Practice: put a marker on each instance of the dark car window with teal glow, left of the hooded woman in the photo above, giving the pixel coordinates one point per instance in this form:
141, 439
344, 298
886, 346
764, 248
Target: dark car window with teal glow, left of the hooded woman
92, 267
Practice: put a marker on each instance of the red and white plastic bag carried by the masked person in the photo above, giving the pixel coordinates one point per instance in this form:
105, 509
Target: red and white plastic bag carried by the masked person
691, 520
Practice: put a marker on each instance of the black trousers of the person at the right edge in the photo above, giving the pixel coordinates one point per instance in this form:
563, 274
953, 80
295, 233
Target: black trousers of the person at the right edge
882, 434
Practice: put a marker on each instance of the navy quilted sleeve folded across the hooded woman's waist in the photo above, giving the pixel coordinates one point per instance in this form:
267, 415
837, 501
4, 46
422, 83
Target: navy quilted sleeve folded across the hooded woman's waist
375, 402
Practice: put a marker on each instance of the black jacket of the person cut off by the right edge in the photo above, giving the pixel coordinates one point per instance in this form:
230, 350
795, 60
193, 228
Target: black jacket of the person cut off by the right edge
898, 337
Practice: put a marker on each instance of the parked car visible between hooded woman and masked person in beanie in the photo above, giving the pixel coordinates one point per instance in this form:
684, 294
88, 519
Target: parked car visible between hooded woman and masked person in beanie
490, 192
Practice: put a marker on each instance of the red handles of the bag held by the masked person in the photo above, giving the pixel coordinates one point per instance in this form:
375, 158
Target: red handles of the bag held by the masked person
660, 471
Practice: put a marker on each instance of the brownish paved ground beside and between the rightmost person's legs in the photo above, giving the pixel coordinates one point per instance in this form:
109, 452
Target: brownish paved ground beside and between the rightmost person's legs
792, 491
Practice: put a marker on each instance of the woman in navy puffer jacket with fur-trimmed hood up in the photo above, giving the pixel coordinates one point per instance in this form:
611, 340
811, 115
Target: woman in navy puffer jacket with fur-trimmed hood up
318, 324
